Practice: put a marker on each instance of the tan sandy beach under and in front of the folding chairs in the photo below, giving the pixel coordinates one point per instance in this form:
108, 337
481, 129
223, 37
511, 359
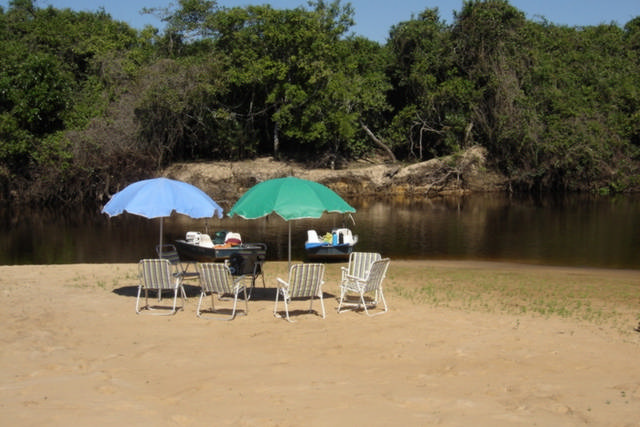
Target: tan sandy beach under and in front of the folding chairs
74, 352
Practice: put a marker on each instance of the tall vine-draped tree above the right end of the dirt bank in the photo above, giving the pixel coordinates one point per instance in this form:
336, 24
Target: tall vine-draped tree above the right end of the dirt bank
494, 53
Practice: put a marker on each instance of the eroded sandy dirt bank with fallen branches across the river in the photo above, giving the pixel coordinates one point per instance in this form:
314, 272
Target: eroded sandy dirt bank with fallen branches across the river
461, 174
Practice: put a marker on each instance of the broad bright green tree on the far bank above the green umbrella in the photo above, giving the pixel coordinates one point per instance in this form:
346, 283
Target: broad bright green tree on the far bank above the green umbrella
281, 63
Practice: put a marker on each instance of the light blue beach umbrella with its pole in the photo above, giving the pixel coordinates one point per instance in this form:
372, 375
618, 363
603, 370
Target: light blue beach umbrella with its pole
159, 198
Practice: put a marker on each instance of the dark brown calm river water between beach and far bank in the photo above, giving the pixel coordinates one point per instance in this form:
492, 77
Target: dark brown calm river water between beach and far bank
584, 231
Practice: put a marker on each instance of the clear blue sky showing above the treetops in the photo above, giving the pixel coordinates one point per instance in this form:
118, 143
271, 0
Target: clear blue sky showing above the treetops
374, 18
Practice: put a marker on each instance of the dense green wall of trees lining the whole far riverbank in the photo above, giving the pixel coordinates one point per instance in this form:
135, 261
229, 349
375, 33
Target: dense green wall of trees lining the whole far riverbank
88, 104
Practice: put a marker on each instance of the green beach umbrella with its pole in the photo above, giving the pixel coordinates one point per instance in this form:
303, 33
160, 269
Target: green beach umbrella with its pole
291, 198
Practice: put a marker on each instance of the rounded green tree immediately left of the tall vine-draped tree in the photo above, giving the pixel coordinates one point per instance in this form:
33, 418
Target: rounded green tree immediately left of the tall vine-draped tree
431, 97
